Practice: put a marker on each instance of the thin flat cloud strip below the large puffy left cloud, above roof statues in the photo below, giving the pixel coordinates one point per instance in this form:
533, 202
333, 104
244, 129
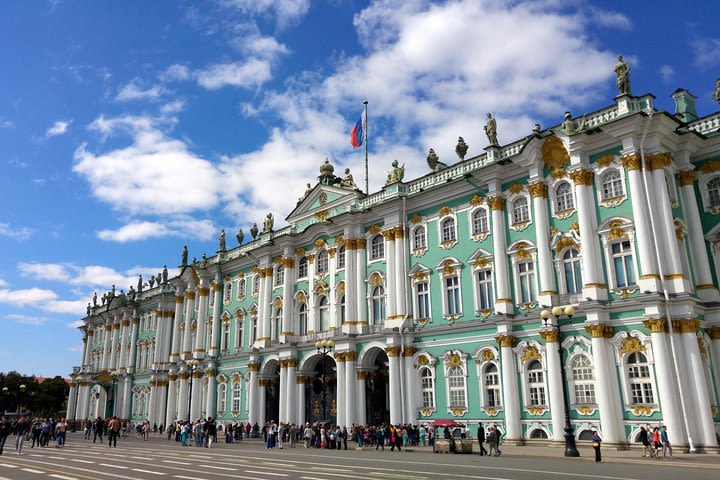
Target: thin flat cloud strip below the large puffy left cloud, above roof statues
200, 229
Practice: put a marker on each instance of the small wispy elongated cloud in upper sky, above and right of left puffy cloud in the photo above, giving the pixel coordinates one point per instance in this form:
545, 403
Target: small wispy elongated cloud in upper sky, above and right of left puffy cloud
251, 73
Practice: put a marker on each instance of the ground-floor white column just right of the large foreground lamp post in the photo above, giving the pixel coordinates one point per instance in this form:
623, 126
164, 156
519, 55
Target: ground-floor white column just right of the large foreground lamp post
605, 375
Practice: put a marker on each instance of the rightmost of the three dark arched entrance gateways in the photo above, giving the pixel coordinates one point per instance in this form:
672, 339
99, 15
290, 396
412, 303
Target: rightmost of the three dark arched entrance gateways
374, 370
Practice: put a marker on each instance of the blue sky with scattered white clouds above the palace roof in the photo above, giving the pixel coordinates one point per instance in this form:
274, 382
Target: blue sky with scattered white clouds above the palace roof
128, 129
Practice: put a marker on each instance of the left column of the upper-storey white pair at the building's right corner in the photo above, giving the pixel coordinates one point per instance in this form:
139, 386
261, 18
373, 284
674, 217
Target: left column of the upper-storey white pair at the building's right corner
643, 236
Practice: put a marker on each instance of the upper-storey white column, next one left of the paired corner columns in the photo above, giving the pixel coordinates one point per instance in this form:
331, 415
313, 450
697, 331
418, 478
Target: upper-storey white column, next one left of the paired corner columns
594, 284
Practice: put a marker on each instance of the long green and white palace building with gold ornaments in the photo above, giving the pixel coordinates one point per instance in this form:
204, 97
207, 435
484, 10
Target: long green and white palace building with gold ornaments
446, 296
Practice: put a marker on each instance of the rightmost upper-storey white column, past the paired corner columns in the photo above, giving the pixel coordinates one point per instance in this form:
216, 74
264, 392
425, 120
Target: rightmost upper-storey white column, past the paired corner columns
698, 250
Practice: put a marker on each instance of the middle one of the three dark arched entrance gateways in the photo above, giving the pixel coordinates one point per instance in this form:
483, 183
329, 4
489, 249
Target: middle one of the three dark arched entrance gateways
321, 391
